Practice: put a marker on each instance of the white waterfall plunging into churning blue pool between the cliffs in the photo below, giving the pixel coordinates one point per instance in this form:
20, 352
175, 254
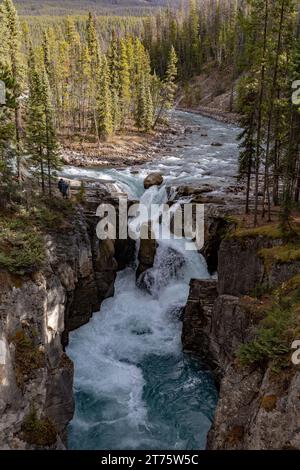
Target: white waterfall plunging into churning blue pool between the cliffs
134, 387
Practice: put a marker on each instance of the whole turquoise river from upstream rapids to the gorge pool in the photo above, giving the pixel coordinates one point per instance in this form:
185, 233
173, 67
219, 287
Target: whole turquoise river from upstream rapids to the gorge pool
134, 387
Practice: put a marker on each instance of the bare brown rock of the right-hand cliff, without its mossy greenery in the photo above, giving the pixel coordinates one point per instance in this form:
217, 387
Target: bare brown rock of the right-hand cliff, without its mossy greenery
258, 407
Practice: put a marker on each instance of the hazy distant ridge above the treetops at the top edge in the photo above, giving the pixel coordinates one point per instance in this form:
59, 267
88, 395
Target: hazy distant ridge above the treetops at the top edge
61, 7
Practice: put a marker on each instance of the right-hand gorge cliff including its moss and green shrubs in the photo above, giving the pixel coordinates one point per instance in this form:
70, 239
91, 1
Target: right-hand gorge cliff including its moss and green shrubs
256, 292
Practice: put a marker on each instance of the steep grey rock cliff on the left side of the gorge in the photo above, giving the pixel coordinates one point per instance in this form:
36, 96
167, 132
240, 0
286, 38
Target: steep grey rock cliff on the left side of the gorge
37, 312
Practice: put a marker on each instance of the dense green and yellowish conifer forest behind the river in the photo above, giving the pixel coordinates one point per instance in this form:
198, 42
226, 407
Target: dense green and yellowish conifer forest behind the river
94, 76
